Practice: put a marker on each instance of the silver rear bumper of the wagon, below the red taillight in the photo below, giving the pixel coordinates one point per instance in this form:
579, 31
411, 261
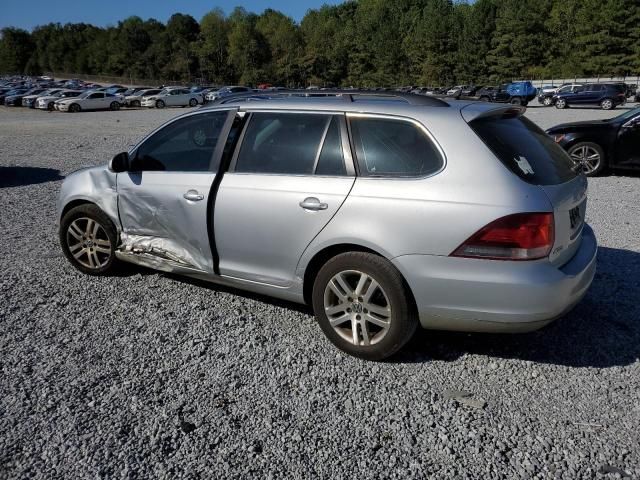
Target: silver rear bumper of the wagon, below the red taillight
497, 296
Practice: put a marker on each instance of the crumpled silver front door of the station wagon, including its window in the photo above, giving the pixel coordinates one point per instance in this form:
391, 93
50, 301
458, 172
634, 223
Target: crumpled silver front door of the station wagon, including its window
163, 200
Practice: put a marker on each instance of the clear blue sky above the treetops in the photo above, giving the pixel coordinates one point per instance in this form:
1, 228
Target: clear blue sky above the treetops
31, 13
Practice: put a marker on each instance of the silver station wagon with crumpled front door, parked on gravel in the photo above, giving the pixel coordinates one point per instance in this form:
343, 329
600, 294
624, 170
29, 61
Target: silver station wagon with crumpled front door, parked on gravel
381, 211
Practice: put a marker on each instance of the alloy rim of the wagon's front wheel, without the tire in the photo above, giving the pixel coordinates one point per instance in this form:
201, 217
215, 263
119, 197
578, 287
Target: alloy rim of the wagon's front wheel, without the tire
88, 243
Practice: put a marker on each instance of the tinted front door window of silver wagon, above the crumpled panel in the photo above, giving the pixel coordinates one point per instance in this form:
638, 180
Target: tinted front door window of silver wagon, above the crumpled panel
186, 145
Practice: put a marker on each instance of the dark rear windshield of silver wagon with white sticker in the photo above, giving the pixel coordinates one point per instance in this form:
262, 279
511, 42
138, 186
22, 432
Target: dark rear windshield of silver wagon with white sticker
525, 149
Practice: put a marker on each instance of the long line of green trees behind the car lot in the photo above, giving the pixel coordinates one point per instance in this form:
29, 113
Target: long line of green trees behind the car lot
357, 43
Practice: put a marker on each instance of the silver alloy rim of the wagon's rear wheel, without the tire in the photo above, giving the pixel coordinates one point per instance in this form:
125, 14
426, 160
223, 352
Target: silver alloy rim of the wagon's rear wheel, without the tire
357, 307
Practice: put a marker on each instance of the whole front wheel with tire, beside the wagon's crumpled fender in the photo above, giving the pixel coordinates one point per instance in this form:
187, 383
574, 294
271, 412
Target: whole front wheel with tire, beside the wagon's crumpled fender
88, 239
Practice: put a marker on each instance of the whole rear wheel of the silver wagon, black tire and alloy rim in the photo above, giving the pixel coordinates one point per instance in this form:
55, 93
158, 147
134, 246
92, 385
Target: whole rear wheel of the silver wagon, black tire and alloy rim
394, 319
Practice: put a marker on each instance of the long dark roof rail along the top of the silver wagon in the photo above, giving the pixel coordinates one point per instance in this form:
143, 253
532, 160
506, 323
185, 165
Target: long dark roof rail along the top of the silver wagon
347, 95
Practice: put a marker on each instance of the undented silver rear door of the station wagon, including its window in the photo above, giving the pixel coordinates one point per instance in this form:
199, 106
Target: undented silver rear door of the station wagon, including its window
289, 176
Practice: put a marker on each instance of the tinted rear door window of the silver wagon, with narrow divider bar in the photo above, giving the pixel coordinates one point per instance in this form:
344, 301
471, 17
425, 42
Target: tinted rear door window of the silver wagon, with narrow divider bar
291, 143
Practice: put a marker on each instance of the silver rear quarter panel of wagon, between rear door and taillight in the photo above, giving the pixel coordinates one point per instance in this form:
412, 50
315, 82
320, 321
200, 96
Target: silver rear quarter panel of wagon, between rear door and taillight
433, 215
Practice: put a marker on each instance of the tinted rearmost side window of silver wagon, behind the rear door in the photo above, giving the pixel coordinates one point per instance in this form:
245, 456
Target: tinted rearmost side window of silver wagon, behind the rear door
393, 148
